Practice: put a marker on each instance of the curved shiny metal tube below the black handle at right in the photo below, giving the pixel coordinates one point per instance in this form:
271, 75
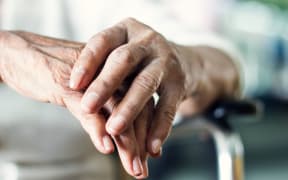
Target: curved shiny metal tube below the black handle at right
228, 145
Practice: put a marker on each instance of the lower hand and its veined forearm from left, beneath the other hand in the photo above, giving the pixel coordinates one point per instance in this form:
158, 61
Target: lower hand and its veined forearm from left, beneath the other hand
39, 67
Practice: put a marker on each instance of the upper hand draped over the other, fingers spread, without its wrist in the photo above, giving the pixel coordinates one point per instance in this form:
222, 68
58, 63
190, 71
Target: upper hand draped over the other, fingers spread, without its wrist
131, 49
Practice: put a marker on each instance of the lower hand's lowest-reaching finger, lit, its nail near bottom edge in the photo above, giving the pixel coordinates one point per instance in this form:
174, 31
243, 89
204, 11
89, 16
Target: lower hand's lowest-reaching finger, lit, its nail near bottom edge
129, 152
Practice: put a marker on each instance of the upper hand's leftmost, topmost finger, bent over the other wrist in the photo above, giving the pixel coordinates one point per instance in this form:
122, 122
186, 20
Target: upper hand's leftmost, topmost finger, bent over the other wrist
94, 54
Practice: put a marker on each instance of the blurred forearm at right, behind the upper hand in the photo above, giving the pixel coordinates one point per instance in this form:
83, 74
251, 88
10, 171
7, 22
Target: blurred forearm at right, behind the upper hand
210, 74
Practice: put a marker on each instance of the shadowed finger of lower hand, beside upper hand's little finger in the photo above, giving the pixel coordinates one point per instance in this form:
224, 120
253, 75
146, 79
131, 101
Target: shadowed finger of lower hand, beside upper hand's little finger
141, 126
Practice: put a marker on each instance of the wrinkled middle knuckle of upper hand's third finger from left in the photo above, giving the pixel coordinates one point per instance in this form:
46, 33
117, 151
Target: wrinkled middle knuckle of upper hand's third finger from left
148, 82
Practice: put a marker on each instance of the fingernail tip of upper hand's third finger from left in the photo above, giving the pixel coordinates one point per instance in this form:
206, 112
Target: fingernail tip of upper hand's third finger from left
116, 124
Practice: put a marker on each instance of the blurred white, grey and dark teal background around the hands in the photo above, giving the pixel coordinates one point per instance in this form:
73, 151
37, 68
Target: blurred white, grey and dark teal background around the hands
258, 29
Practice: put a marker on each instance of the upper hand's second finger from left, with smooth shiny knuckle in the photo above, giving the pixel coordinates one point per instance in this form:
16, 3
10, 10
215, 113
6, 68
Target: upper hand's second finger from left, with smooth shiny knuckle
119, 64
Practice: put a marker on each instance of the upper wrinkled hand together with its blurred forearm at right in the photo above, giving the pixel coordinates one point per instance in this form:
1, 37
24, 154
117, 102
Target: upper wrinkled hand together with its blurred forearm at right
132, 50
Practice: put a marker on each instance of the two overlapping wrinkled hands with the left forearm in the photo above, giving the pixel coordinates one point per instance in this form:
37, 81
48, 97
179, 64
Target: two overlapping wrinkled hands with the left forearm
108, 84
